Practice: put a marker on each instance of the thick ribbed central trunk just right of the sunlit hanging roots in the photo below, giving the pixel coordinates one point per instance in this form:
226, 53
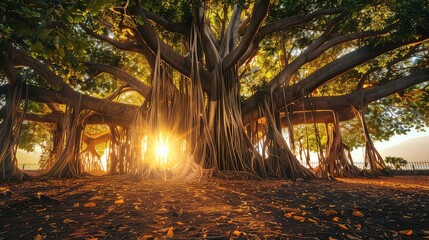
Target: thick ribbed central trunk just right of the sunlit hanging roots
225, 125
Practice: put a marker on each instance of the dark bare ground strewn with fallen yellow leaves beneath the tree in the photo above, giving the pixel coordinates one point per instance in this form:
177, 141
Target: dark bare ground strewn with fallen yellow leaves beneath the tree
124, 207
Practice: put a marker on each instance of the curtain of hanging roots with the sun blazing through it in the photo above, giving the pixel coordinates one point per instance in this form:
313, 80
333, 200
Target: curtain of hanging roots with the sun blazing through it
174, 120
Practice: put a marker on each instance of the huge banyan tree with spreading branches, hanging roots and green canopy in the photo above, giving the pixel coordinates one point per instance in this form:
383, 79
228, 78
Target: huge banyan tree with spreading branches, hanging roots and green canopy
191, 89
